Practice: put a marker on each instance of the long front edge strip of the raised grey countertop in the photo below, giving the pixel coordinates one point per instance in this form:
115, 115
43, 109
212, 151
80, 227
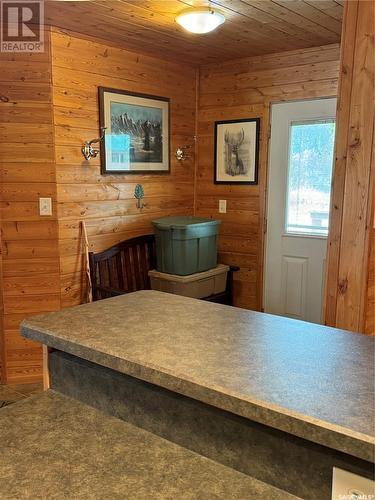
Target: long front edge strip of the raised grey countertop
324, 433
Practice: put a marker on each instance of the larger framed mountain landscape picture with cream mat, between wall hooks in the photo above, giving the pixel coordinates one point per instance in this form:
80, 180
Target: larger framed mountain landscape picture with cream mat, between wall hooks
135, 129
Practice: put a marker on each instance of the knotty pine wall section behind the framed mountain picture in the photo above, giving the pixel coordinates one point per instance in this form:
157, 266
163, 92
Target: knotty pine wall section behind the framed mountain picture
106, 203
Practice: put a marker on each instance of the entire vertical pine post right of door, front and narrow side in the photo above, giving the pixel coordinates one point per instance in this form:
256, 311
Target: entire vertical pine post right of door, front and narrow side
350, 223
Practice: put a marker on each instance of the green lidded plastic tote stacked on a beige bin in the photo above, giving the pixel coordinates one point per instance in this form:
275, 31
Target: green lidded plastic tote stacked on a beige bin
185, 245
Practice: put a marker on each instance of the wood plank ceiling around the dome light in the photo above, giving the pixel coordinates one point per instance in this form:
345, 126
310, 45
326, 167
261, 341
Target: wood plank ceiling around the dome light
253, 27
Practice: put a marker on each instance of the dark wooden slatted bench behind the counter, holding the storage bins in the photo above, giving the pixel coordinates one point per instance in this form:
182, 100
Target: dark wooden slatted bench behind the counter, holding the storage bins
124, 268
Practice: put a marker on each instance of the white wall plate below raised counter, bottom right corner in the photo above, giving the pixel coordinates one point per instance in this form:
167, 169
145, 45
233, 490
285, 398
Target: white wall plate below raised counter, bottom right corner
349, 486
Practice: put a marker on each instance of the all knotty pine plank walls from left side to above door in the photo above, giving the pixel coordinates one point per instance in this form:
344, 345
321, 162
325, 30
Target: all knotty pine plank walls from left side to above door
49, 108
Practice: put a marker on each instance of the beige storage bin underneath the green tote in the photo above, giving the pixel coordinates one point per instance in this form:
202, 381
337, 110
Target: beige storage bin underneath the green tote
197, 286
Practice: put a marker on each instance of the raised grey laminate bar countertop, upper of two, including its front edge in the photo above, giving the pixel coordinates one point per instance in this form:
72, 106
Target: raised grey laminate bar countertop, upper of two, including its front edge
308, 380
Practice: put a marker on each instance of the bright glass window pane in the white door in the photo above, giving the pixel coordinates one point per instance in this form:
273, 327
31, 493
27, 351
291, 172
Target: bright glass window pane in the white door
309, 177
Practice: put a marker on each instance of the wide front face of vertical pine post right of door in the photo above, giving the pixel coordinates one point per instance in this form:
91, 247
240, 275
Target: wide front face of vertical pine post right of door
355, 222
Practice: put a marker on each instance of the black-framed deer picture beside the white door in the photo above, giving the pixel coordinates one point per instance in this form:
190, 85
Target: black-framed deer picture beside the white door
237, 151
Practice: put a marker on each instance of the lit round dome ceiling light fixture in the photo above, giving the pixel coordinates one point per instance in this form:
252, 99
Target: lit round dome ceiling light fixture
200, 19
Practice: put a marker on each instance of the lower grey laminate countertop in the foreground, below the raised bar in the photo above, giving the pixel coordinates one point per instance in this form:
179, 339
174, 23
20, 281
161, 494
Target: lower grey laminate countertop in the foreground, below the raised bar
55, 447
